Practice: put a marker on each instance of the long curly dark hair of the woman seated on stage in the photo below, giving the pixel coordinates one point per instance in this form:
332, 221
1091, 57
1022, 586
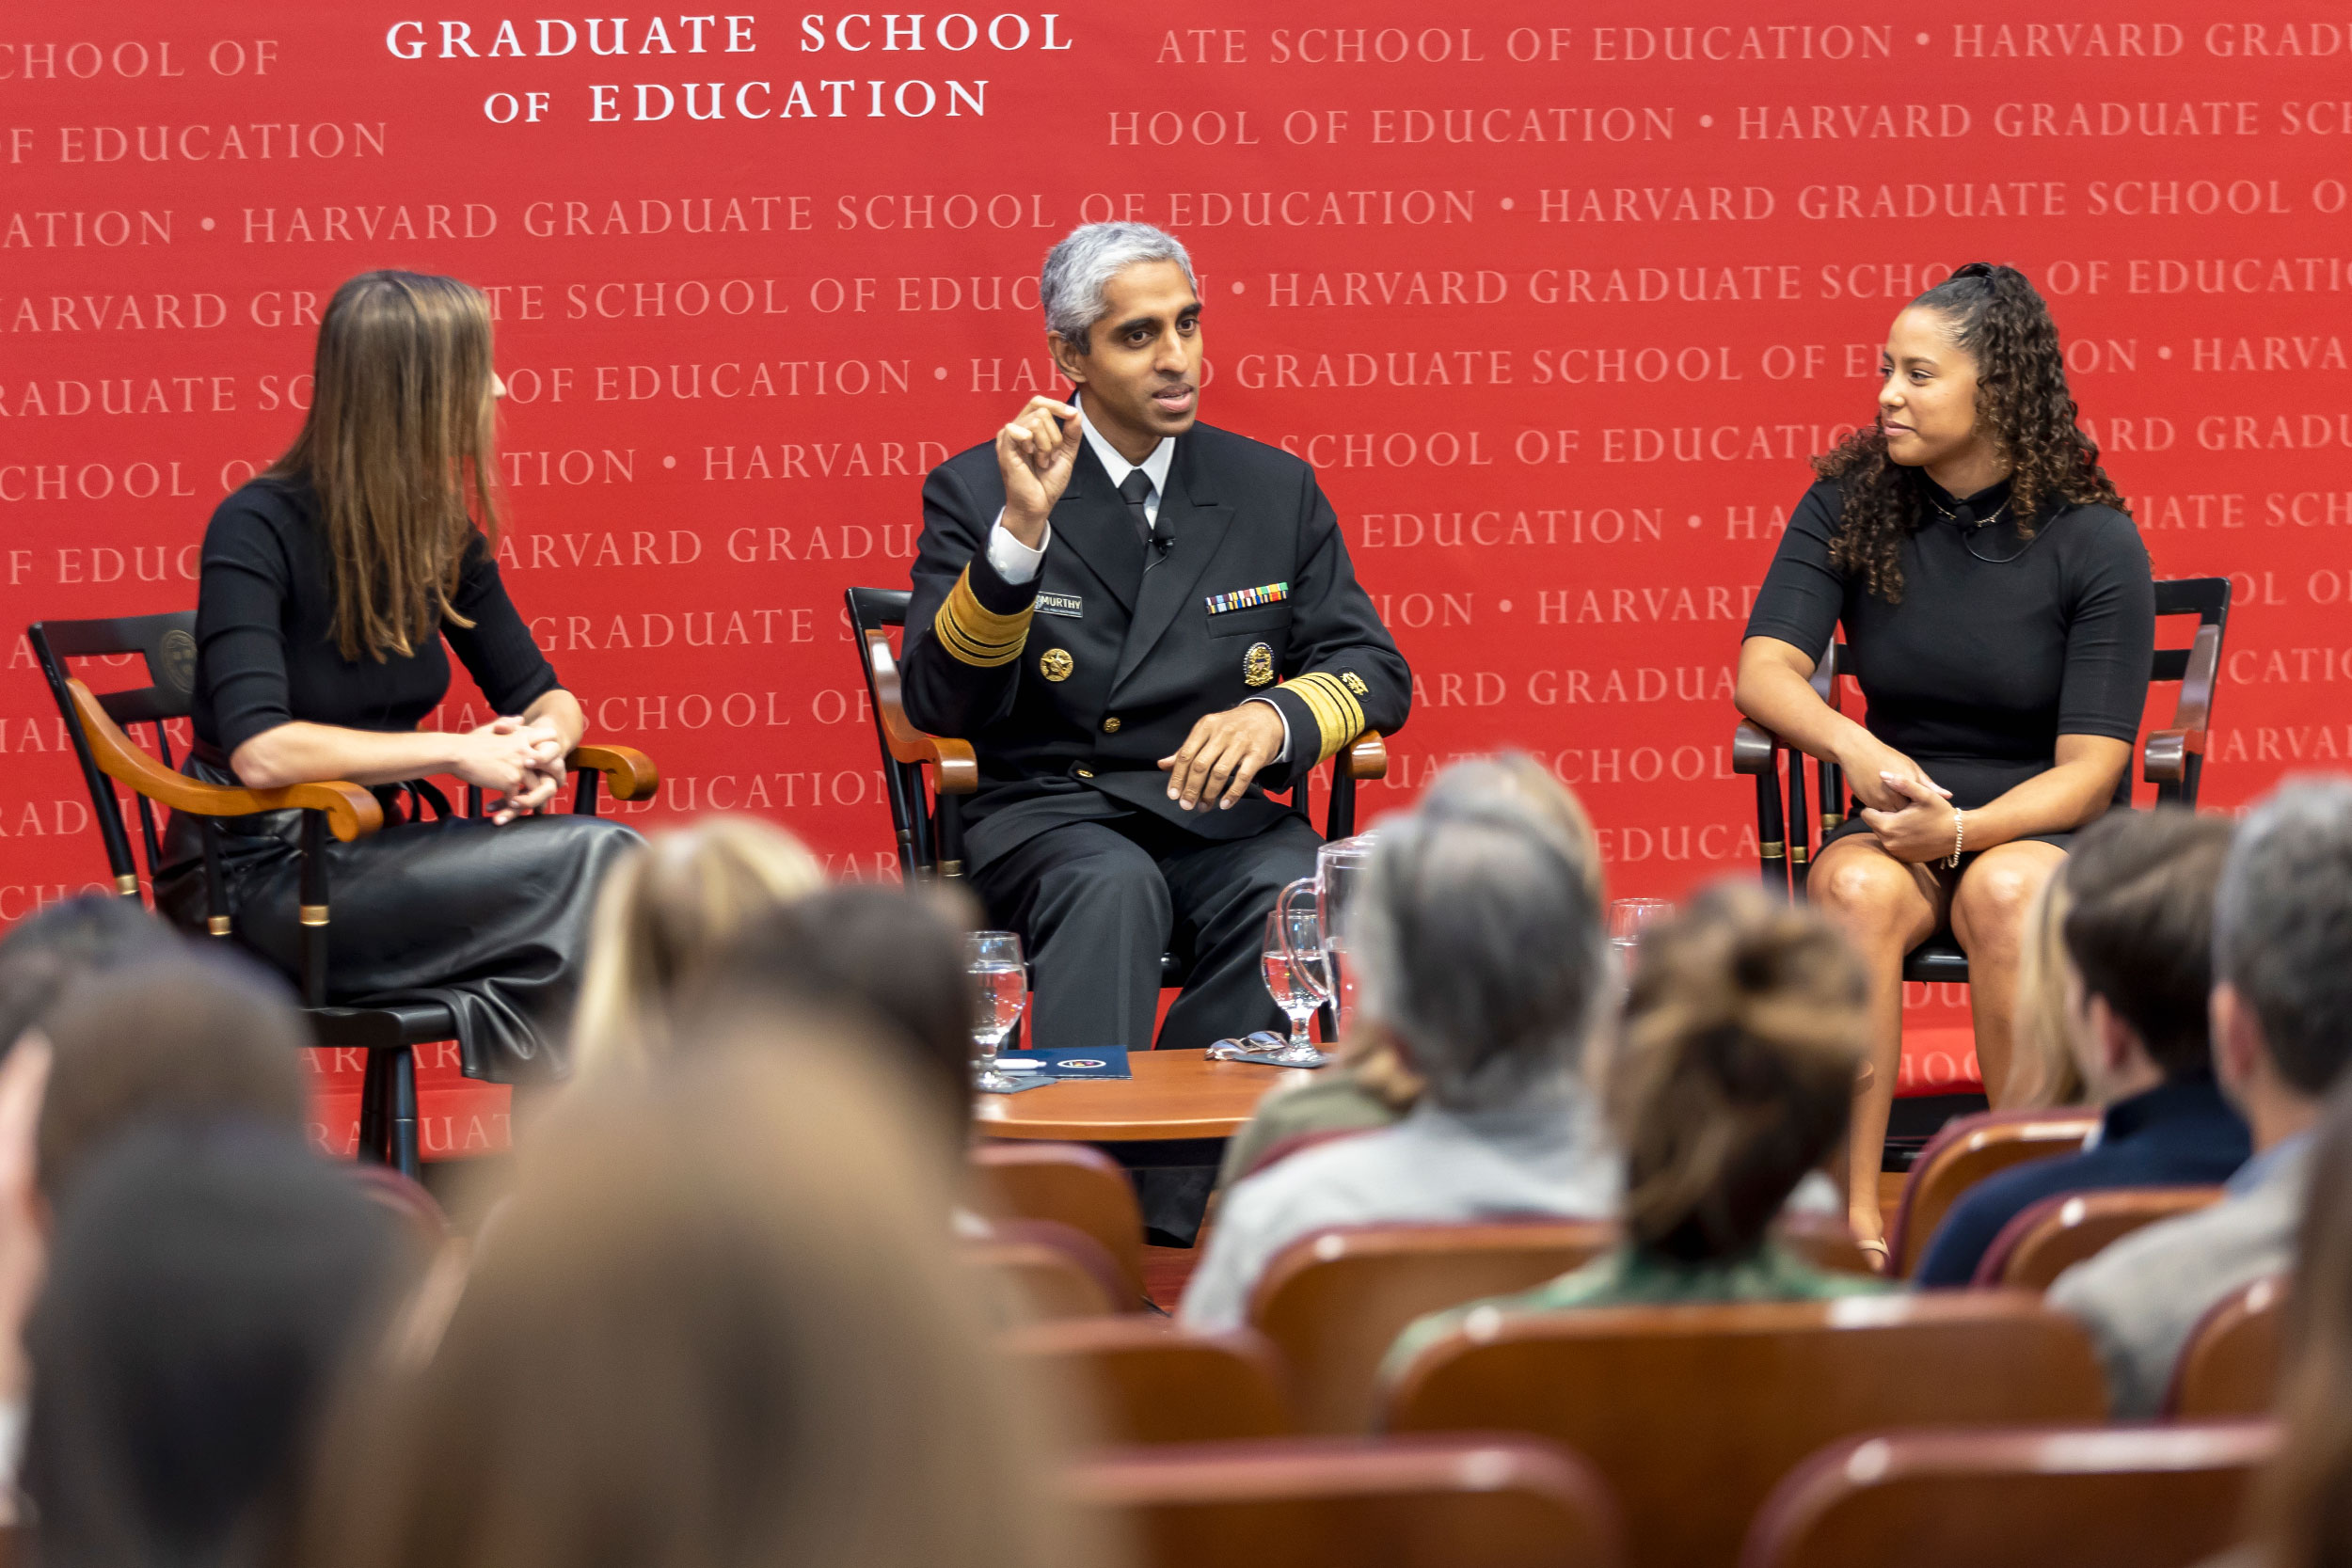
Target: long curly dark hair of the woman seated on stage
2024, 410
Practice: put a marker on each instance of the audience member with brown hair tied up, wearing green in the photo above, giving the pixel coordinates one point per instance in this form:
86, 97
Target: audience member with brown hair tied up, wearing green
1730, 1083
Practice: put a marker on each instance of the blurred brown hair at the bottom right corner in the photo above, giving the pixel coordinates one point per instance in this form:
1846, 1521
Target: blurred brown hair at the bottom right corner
2304, 1501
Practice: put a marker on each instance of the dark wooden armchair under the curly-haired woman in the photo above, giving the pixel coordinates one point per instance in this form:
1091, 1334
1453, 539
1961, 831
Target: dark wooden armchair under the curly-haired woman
2172, 758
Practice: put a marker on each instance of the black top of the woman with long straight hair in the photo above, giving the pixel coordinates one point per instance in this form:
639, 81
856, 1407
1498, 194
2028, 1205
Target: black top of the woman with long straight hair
265, 634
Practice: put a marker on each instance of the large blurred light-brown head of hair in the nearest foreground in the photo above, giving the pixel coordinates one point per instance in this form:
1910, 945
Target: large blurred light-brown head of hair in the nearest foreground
721, 1325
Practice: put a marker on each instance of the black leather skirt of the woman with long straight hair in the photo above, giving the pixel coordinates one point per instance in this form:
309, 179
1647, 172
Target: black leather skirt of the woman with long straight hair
493, 923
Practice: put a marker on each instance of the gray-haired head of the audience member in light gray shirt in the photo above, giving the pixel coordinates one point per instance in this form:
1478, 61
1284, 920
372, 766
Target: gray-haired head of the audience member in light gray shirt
1481, 946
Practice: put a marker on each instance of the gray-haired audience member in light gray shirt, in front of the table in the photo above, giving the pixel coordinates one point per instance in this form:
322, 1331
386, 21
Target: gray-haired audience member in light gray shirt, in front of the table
1478, 946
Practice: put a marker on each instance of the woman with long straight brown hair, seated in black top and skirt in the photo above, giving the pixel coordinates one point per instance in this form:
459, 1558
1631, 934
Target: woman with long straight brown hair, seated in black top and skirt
330, 589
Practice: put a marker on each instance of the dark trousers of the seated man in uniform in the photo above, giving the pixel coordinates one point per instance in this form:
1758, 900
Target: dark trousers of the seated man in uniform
1100, 902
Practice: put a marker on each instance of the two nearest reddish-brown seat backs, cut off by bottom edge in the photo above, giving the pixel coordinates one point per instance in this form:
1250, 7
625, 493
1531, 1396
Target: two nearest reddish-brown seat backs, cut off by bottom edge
2022, 1499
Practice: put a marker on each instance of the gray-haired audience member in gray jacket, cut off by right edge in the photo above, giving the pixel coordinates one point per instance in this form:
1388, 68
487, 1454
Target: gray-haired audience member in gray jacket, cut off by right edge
2283, 1033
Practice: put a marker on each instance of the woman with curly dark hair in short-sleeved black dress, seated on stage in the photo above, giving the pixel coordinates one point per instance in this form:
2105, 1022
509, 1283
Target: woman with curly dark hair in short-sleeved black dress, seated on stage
2000, 619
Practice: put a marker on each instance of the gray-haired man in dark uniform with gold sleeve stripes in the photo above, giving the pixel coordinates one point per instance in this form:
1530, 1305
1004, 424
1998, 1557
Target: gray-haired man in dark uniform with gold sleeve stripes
1142, 624
